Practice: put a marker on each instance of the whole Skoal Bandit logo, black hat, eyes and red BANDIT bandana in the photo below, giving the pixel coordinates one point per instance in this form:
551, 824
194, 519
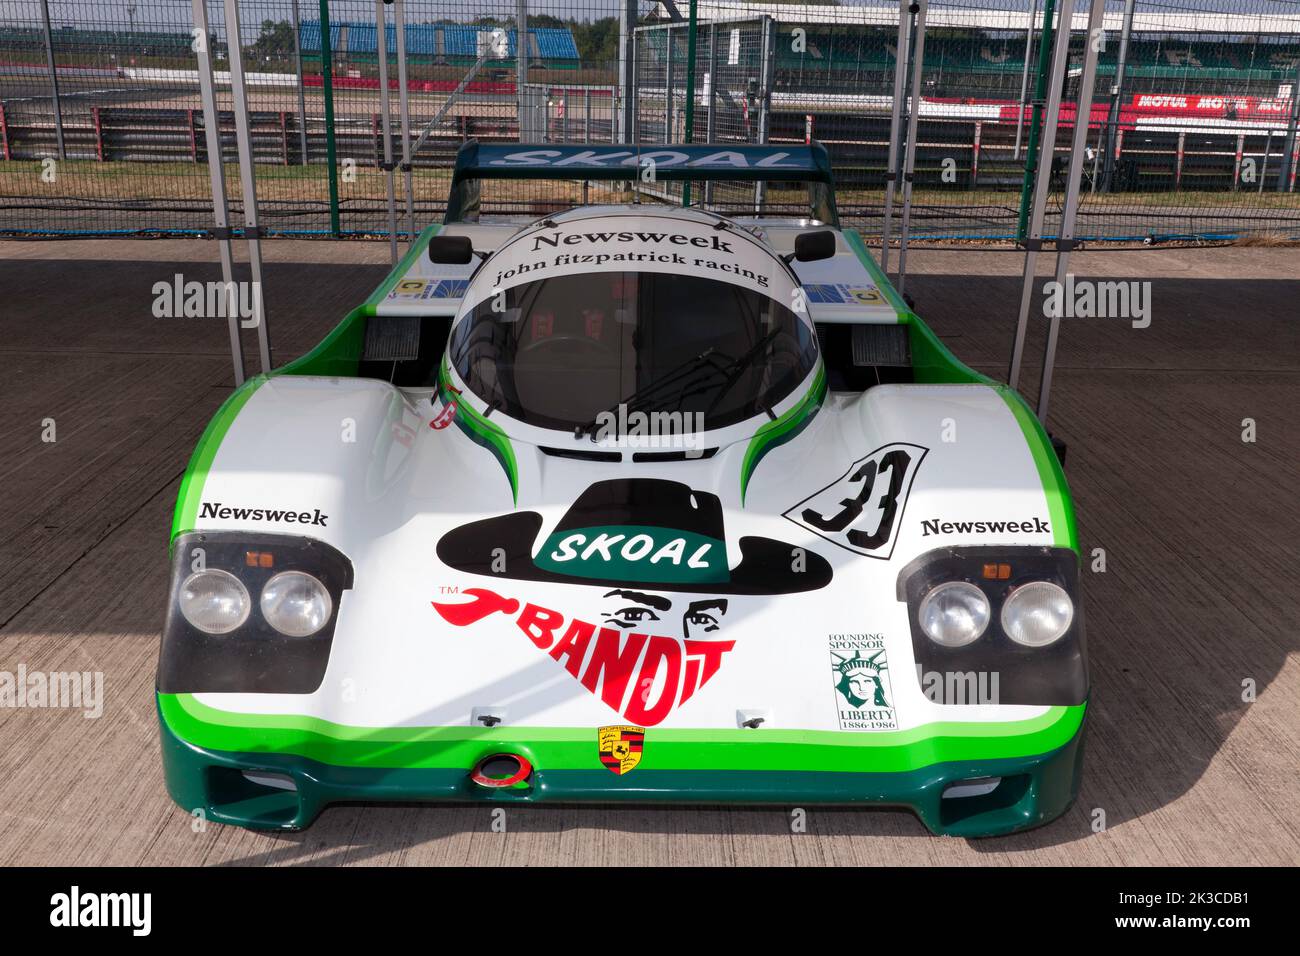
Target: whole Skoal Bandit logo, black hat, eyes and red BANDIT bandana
630, 592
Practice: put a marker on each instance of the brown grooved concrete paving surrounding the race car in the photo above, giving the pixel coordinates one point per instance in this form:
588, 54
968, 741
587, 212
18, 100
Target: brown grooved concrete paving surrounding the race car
1199, 595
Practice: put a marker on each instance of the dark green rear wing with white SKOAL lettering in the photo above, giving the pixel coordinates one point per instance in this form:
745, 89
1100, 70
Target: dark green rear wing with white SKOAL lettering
671, 163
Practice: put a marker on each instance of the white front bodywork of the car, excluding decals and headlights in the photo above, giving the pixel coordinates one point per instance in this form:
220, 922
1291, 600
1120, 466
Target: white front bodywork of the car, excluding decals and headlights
391, 495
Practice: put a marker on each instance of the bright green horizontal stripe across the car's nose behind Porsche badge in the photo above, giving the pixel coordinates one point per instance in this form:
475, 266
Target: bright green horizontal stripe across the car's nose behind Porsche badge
560, 749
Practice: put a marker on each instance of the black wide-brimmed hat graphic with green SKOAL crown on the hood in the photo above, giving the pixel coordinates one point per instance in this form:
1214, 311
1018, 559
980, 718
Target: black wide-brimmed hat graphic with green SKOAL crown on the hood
652, 533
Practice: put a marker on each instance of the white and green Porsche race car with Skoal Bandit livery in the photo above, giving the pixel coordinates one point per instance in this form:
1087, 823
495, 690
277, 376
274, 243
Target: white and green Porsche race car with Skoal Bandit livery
627, 501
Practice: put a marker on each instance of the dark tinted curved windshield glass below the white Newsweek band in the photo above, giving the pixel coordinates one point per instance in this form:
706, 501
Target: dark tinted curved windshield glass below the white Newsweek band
560, 352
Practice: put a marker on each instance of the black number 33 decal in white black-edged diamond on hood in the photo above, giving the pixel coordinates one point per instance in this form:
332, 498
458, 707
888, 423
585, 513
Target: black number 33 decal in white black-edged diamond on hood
861, 511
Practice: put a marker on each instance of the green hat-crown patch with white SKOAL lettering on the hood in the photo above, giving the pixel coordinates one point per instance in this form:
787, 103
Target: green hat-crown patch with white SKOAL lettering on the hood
636, 553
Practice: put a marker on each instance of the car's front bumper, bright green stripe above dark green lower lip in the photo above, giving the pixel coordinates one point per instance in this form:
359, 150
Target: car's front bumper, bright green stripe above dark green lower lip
206, 754
